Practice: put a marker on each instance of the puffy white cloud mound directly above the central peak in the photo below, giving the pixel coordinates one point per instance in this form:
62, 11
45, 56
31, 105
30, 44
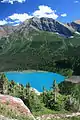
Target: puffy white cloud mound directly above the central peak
45, 11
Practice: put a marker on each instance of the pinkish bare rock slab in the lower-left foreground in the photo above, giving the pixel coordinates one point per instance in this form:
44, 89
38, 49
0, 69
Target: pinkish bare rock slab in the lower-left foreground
16, 104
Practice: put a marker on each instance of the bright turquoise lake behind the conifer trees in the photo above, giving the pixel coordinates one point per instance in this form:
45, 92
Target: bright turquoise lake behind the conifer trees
36, 79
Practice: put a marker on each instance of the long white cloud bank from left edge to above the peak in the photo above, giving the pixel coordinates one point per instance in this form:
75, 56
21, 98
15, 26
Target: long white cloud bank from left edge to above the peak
43, 11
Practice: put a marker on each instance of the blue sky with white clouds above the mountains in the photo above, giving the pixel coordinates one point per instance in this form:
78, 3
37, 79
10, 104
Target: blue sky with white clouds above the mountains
15, 12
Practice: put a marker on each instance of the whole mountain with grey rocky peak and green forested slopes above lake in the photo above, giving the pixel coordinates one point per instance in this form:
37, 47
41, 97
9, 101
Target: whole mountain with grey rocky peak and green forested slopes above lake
39, 44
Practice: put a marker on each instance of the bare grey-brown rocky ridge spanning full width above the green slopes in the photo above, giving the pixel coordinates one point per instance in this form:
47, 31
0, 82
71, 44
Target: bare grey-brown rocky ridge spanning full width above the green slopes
43, 24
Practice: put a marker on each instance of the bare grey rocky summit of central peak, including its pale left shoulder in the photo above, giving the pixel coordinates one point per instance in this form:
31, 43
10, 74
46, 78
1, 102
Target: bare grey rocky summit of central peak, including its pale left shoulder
47, 24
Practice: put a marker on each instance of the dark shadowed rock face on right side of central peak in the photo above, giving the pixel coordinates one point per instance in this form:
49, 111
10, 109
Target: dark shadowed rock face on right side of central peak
51, 25
